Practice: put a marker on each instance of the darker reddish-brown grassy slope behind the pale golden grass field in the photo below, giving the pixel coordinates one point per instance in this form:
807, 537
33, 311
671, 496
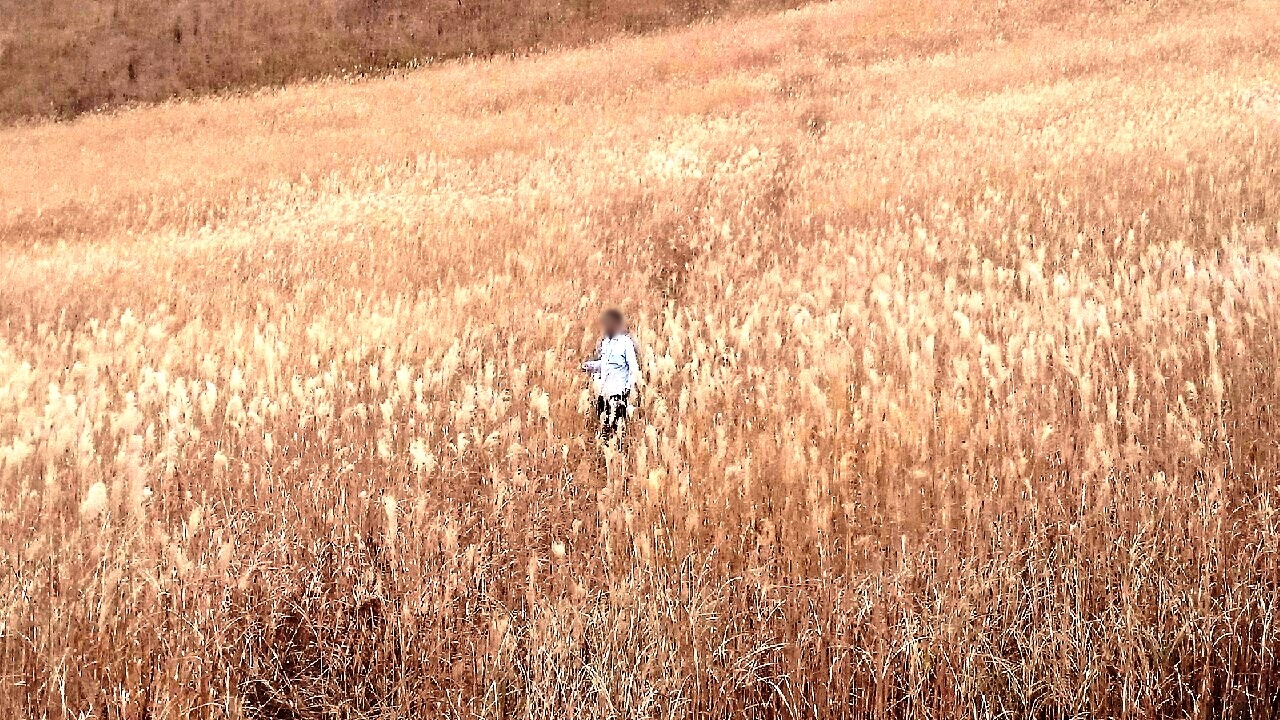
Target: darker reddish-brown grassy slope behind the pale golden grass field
63, 58
